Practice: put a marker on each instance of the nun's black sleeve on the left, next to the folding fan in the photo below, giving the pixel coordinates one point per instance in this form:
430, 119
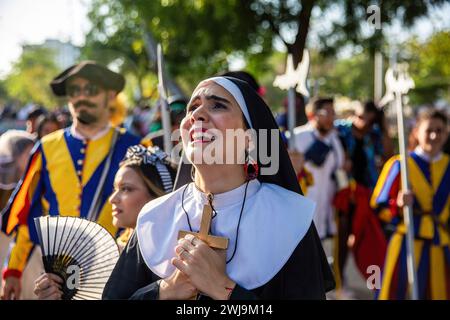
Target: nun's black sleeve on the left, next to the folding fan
131, 274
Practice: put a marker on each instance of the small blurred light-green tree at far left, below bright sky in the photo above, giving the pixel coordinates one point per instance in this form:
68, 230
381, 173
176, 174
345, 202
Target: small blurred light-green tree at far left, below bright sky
30, 77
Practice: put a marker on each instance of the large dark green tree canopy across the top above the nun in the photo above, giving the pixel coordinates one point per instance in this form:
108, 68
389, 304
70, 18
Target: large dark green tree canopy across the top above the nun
200, 37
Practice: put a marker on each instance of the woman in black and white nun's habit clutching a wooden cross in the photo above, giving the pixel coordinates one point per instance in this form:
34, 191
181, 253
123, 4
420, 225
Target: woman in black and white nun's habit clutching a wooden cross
241, 229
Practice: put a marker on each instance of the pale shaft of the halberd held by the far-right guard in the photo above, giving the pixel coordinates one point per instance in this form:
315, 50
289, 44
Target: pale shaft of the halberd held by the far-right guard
407, 210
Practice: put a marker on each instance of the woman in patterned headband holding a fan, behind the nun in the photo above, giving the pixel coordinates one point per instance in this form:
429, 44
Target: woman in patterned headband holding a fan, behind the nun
144, 174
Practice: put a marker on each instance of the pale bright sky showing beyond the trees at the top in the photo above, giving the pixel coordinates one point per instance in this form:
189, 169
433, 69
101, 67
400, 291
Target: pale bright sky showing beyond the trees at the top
34, 21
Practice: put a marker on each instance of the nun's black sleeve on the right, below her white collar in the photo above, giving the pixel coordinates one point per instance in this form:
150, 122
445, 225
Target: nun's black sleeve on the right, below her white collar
306, 275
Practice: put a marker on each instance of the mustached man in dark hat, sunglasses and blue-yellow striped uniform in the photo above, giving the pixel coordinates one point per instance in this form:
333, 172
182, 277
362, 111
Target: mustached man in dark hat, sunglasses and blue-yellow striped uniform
71, 171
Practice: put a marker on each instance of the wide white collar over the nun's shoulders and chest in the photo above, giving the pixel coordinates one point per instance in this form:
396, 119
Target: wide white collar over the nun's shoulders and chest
273, 222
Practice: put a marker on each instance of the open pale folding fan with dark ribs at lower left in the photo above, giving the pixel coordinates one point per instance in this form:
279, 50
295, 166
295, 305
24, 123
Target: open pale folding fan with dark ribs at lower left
79, 251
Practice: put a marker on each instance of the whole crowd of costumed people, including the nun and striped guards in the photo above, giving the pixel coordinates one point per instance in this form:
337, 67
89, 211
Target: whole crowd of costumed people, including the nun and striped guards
338, 181
